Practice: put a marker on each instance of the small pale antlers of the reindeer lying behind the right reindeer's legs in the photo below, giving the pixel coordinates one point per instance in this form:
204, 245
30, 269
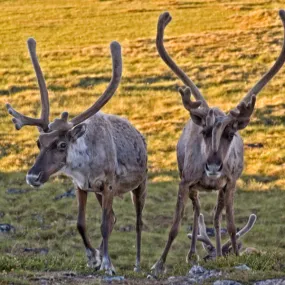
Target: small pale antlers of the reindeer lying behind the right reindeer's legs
206, 242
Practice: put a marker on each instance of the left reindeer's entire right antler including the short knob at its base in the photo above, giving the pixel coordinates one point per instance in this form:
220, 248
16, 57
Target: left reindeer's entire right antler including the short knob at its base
63, 124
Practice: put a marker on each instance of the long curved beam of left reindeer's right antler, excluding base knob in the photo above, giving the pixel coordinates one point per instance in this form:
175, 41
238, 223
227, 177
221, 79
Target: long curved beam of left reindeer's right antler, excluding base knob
112, 87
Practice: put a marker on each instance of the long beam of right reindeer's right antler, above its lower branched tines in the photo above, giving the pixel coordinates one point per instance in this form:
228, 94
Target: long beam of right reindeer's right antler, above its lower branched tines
273, 70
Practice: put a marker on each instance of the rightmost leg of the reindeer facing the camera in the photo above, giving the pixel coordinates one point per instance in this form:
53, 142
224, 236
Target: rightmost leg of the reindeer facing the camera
229, 201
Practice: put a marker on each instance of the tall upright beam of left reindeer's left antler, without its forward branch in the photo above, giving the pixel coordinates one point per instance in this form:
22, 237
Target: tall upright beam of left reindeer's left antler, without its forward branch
41, 82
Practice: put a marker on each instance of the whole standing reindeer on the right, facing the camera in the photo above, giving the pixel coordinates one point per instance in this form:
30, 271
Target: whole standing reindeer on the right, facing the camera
209, 151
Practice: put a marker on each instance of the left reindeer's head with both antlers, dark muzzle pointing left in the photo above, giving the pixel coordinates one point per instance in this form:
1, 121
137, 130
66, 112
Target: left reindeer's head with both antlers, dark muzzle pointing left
55, 137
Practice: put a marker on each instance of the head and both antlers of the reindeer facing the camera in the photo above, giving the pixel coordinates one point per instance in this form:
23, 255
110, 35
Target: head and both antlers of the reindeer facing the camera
218, 129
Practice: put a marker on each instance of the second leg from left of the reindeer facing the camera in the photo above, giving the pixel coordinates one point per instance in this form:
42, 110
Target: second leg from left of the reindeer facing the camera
191, 257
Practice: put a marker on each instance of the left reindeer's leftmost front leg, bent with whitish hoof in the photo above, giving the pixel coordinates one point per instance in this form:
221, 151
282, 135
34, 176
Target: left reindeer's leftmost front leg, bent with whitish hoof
93, 255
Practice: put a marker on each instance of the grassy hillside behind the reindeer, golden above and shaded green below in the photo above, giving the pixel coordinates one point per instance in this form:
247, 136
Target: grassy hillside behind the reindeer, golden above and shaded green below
225, 46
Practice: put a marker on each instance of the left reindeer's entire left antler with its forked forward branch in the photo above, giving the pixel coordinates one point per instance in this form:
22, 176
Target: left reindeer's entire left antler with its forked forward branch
21, 120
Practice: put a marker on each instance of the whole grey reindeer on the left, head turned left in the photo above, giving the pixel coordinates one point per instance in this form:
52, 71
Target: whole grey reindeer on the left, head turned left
102, 153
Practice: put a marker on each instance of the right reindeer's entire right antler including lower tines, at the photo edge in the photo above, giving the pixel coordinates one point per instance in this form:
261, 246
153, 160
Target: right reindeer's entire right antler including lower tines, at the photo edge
245, 108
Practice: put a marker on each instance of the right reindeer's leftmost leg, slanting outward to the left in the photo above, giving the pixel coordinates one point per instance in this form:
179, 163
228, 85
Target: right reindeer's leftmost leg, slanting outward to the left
157, 268
